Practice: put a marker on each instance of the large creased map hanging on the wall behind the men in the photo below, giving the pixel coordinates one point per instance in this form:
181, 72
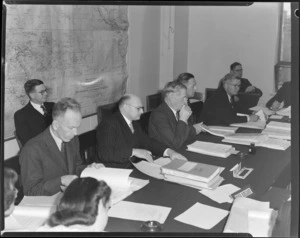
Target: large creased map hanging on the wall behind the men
77, 51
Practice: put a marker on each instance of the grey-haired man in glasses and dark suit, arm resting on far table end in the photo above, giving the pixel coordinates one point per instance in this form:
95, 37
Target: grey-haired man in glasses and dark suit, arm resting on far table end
221, 109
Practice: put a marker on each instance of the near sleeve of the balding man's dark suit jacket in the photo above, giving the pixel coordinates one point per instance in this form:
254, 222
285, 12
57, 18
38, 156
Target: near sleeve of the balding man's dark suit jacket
111, 146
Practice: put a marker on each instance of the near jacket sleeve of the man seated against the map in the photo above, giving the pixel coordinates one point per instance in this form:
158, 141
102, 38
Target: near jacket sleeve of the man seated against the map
22, 130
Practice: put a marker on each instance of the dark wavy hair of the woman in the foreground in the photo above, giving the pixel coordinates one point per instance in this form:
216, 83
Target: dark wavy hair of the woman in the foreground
79, 203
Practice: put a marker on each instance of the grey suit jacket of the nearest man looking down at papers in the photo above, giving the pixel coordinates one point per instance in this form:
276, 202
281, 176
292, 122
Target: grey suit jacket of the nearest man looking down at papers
42, 164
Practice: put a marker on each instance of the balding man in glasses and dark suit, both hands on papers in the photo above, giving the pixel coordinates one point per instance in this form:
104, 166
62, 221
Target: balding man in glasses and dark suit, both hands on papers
120, 137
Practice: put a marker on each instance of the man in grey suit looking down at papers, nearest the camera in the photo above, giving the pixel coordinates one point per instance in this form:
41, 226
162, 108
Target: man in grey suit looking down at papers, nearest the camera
51, 160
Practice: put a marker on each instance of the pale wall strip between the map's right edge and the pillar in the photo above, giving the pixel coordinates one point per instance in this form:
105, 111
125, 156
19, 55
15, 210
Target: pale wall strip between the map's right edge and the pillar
143, 50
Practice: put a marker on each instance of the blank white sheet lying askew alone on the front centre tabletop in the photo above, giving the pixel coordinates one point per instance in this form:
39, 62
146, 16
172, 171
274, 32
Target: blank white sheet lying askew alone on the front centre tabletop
202, 216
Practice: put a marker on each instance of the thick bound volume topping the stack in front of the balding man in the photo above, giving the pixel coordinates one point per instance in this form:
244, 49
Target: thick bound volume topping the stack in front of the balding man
191, 170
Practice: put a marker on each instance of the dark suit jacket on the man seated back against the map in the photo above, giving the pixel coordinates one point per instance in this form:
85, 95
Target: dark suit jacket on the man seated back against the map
29, 122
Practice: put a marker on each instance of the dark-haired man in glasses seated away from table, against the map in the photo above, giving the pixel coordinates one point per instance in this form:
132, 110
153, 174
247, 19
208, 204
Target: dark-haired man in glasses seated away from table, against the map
36, 116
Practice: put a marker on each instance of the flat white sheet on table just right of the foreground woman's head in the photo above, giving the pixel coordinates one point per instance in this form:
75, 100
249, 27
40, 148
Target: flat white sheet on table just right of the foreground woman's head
139, 211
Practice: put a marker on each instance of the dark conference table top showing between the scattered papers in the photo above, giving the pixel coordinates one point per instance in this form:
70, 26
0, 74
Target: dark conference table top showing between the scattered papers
268, 166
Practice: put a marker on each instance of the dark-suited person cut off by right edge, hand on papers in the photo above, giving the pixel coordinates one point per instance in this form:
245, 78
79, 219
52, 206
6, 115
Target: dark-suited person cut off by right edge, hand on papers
282, 98
